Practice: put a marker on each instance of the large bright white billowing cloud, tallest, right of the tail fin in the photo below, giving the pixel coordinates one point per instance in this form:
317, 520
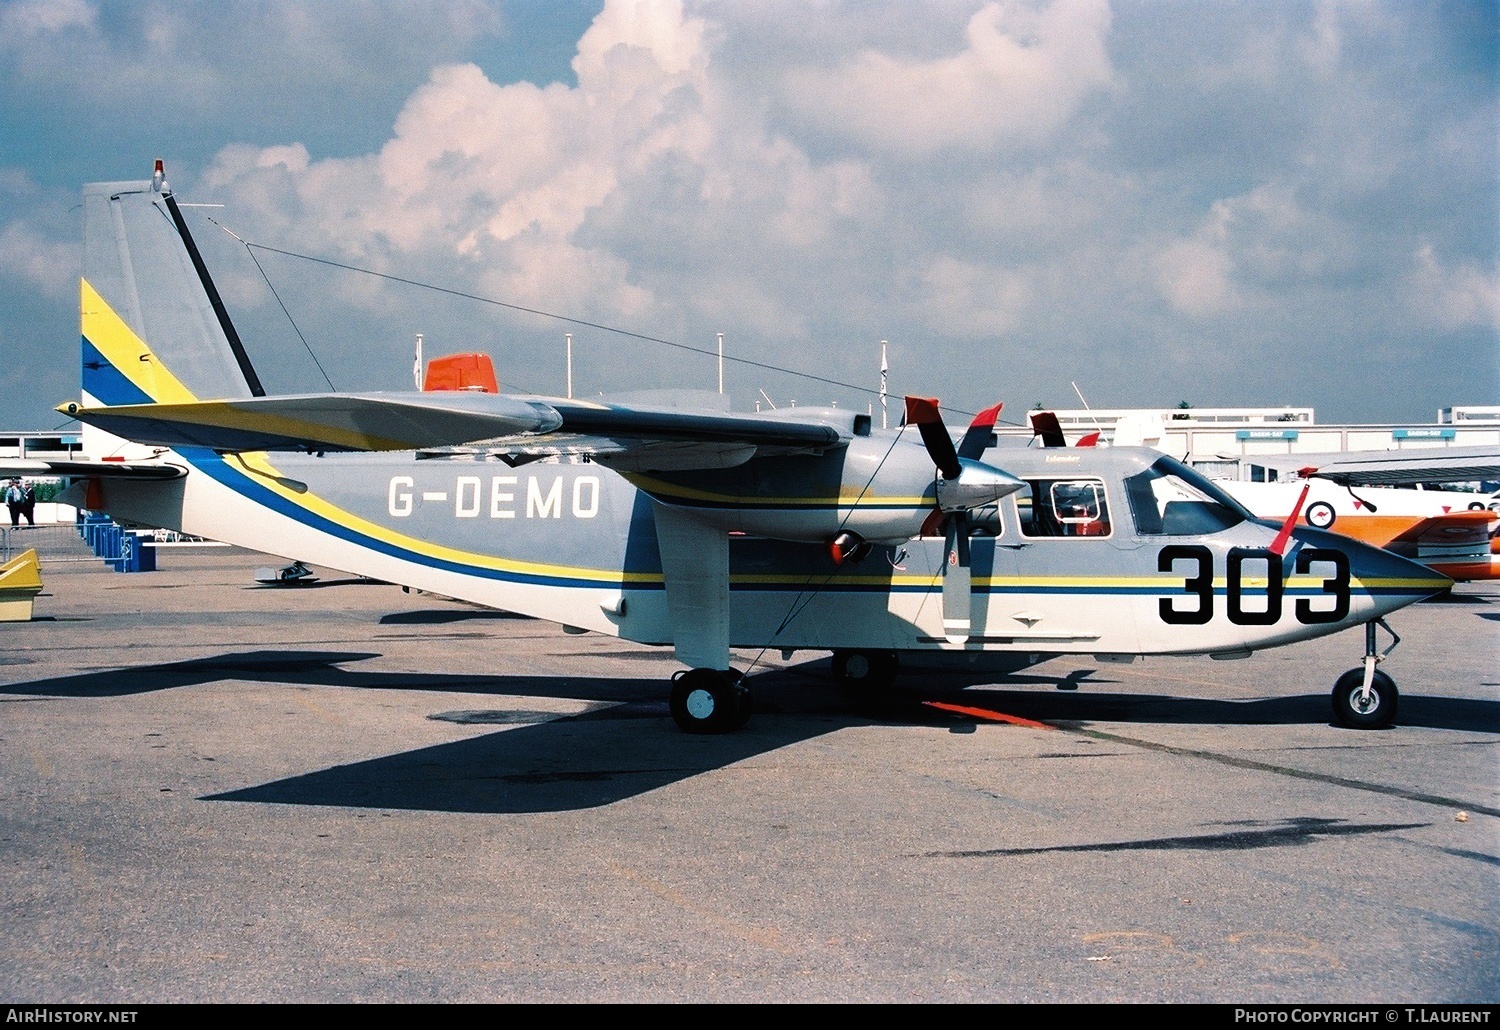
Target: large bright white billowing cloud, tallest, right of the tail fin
545, 196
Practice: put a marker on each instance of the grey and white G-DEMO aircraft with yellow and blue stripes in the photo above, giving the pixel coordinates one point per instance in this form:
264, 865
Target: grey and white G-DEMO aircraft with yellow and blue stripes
803, 530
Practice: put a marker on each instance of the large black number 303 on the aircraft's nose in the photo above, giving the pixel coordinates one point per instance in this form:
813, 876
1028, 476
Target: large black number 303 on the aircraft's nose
1199, 585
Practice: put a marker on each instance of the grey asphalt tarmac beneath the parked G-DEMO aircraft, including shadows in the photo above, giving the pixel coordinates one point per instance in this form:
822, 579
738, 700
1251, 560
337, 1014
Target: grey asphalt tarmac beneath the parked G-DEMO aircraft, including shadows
215, 791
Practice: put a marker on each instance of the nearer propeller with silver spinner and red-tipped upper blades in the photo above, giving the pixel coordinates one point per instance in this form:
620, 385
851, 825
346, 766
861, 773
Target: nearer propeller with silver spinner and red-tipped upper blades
964, 484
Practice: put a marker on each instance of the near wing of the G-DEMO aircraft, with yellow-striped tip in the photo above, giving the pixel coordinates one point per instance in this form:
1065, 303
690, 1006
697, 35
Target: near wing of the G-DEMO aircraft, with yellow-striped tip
508, 427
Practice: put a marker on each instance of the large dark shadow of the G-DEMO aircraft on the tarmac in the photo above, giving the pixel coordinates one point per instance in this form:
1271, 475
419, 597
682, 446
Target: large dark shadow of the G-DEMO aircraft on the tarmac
626, 744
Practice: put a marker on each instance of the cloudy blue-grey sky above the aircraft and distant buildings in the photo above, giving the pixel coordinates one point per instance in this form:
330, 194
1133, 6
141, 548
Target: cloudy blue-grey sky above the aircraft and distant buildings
1145, 203
